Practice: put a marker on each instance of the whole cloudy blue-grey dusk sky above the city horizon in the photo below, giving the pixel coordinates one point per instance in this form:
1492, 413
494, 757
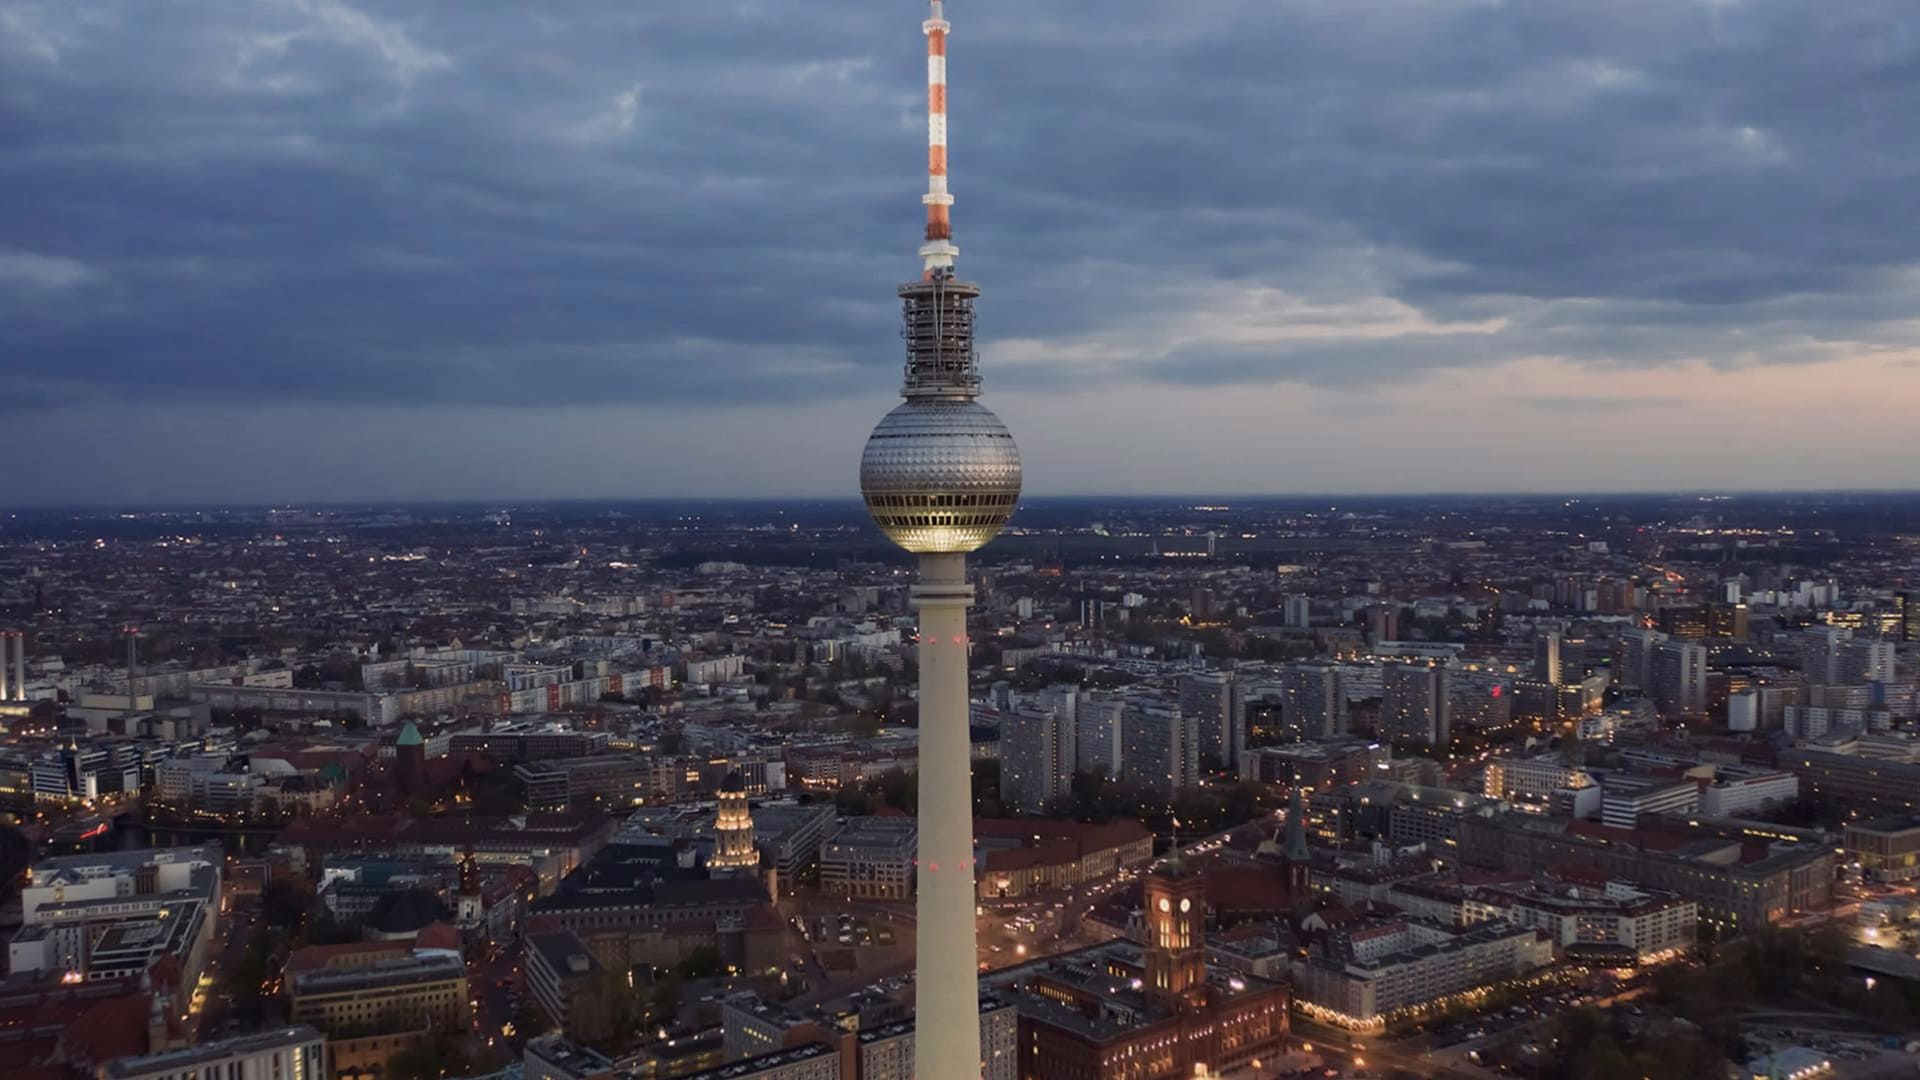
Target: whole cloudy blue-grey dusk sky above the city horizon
377, 249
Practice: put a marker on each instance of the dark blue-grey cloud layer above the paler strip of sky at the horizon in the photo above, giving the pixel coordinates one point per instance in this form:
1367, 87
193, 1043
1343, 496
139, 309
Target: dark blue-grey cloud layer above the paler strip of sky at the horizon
690, 203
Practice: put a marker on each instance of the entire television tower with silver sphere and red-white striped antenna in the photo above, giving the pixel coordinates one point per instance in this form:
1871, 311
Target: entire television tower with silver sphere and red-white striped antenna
942, 476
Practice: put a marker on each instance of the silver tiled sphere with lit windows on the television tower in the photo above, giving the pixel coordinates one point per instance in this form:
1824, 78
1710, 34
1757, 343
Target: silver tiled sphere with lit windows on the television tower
940, 476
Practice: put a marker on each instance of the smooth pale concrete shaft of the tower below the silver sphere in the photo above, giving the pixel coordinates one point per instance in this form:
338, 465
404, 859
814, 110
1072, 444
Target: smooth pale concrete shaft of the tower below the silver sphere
946, 952
